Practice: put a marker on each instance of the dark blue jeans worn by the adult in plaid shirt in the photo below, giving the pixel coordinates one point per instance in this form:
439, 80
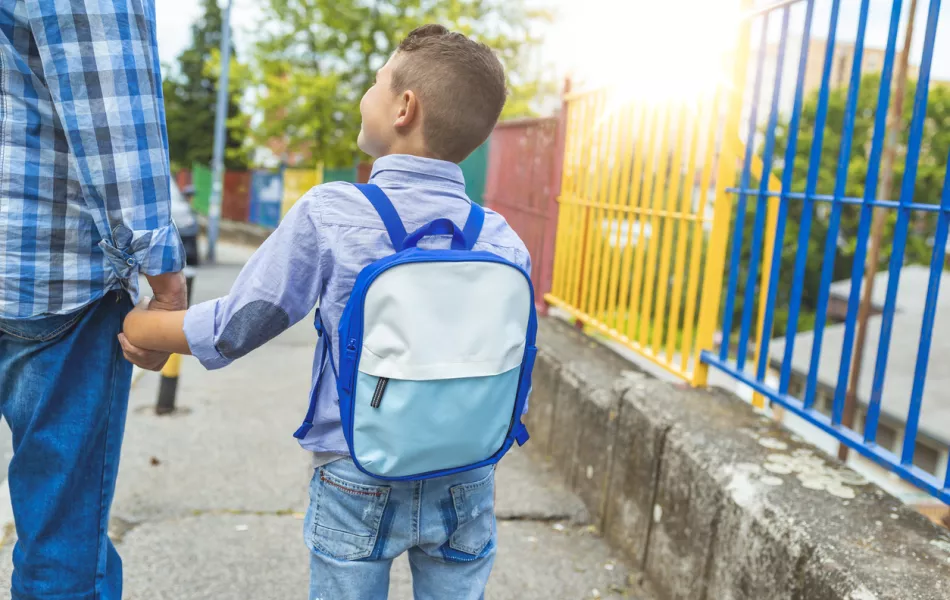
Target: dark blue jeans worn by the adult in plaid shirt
64, 390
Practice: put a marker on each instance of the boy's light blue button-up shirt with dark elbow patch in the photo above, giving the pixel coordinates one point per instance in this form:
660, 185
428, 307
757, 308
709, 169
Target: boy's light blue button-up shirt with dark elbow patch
314, 257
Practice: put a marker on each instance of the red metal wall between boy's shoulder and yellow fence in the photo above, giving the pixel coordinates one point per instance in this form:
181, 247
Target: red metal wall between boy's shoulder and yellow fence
524, 180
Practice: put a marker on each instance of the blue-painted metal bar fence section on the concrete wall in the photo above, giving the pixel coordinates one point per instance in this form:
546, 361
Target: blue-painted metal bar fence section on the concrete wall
812, 208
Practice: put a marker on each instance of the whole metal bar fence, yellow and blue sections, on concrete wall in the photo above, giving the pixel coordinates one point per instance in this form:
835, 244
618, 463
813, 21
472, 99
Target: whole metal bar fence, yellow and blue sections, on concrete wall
673, 230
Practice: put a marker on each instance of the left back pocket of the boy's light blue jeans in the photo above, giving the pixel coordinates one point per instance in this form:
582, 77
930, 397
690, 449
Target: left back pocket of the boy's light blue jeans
346, 516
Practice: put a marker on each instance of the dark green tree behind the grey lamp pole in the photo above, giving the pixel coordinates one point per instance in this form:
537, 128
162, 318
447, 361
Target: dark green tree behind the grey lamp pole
191, 99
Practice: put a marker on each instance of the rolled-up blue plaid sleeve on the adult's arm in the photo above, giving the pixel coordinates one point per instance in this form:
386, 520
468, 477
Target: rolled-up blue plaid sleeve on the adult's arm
101, 65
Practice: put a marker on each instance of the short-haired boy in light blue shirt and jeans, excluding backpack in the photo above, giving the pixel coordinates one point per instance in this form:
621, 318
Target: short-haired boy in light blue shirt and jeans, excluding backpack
435, 101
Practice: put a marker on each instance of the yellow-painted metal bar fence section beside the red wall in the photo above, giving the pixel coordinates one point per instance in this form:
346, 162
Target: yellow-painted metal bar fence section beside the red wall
640, 230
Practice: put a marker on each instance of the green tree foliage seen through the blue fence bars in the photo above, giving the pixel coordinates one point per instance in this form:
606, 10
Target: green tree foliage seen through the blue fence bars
927, 190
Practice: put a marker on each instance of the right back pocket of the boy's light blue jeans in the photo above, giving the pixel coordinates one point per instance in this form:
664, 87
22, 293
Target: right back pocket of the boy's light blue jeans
475, 513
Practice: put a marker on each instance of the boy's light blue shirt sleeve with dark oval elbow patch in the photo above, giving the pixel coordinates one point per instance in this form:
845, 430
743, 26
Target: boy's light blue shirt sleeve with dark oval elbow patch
278, 287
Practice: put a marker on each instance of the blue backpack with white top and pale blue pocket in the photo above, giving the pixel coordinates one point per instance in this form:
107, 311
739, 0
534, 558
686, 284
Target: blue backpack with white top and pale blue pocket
438, 350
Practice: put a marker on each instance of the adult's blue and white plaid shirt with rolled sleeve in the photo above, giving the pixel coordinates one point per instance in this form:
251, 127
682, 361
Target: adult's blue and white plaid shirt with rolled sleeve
84, 173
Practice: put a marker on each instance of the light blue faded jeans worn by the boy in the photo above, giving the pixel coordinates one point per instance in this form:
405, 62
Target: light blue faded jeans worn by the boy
356, 525
